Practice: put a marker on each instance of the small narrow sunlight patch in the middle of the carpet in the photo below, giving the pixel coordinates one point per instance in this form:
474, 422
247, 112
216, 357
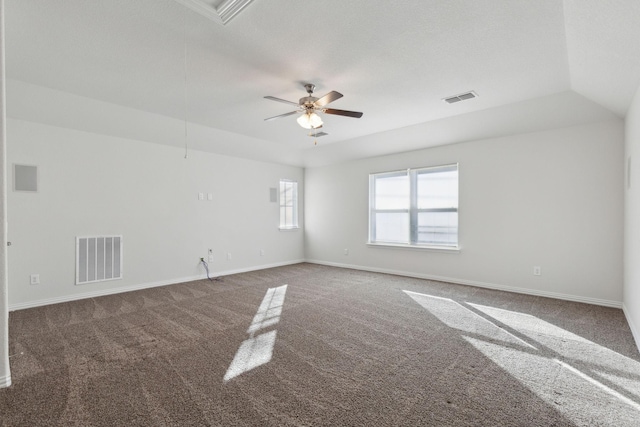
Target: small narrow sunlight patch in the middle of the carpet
257, 351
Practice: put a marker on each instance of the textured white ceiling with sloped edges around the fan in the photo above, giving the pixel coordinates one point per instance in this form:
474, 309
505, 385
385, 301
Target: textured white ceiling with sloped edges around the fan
394, 61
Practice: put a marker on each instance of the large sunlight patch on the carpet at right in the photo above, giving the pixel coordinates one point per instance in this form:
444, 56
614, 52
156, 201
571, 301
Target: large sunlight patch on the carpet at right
567, 371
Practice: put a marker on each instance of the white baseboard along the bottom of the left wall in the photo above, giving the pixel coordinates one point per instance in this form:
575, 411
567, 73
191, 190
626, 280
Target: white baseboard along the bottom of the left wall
111, 291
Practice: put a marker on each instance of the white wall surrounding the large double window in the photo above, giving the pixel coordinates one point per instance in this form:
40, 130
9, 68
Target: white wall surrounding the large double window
552, 199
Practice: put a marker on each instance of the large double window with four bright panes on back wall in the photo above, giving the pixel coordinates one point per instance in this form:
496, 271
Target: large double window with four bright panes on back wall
414, 207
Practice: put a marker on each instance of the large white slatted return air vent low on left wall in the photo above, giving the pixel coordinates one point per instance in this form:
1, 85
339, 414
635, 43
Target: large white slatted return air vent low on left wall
98, 258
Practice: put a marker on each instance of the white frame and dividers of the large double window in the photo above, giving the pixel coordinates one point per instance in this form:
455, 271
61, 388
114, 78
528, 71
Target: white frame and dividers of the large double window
412, 210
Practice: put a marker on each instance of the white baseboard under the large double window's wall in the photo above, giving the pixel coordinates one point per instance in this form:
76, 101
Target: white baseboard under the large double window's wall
526, 291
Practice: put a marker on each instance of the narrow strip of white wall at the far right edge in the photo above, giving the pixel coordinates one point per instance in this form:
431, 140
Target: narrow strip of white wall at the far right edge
632, 219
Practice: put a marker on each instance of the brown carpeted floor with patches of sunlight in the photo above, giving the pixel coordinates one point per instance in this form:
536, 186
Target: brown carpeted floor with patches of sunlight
311, 345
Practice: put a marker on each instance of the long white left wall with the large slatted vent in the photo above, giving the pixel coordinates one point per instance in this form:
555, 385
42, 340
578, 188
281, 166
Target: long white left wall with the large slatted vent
92, 184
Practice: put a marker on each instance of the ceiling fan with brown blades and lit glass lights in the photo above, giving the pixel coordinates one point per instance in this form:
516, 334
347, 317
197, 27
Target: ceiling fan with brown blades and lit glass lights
309, 106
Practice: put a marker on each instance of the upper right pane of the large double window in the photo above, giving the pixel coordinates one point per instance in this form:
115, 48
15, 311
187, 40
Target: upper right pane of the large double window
438, 189
